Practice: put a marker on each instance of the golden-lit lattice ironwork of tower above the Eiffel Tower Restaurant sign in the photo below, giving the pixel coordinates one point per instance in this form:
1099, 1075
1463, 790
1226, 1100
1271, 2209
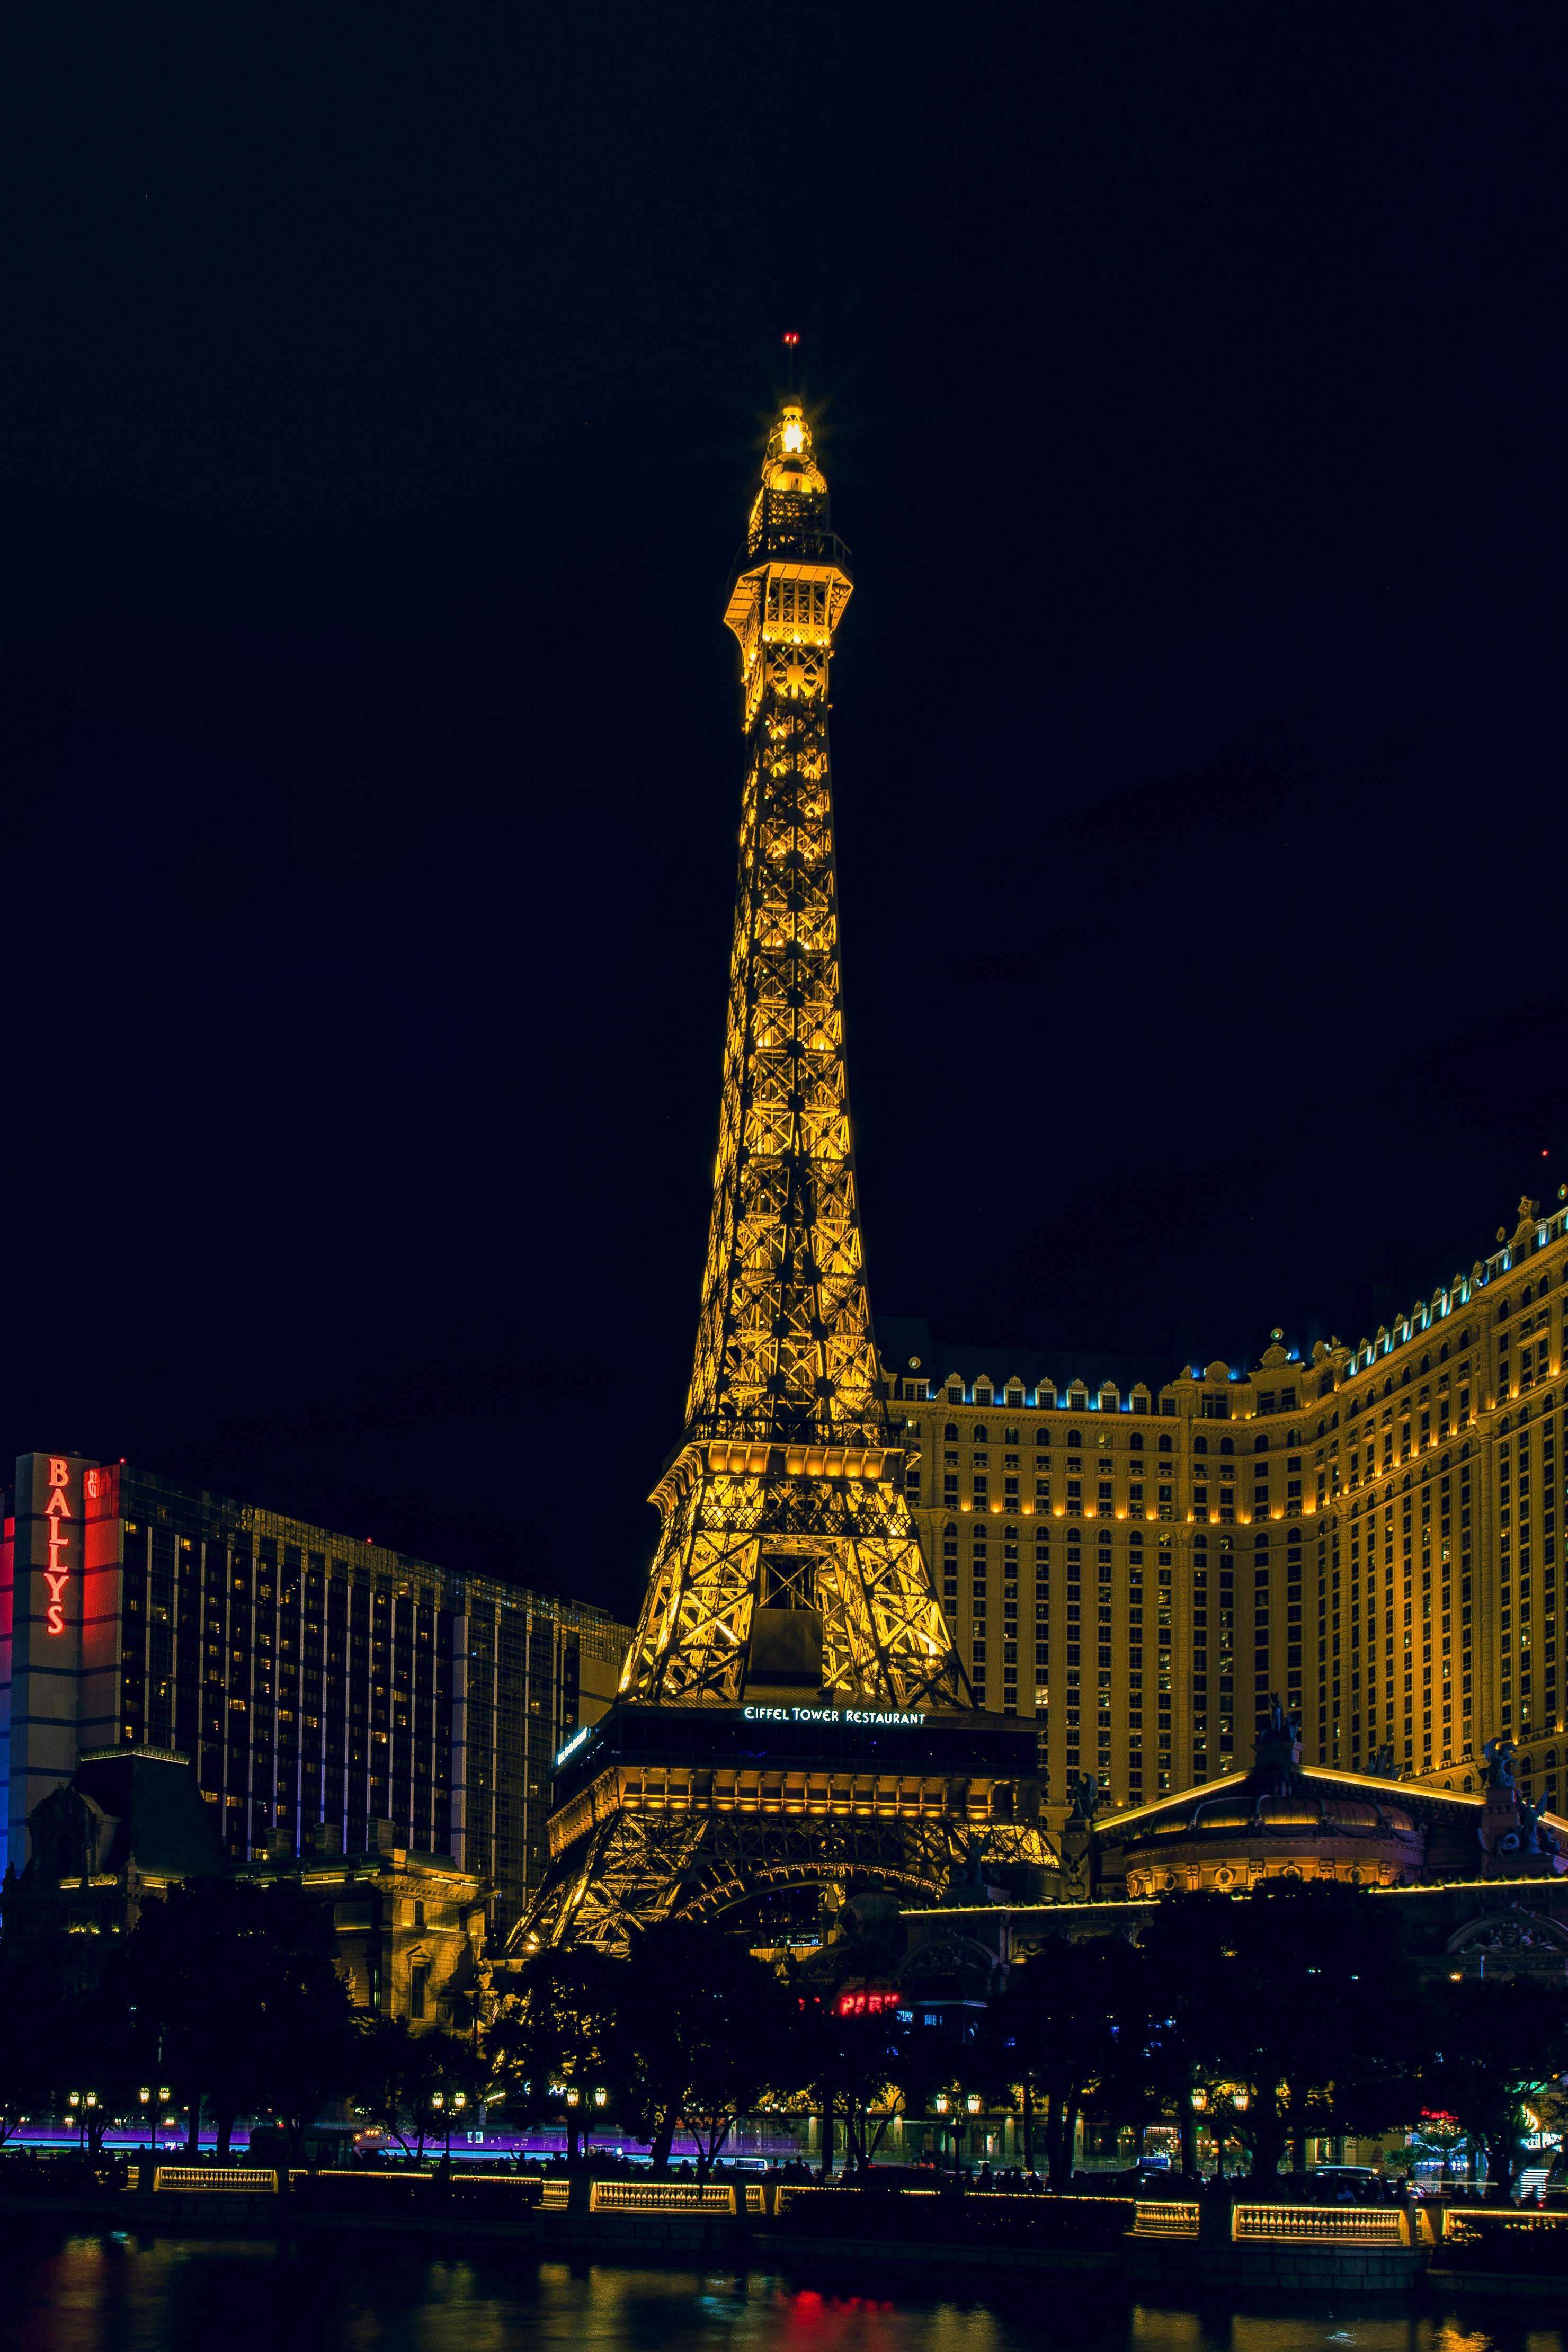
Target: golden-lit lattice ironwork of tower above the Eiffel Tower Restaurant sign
786, 1499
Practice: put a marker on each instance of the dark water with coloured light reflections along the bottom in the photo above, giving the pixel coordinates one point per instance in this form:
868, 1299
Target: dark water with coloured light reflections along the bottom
116, 2294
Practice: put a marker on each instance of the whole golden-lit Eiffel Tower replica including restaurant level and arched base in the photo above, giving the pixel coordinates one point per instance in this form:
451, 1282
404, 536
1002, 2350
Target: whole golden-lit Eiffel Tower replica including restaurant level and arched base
793, 1720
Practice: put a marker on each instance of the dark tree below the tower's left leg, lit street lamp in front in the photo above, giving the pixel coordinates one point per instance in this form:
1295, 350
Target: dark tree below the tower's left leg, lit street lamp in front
561, 2033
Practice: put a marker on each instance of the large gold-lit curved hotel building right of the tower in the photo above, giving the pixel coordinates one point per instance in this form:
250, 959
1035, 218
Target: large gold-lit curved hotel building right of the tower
1141, 1563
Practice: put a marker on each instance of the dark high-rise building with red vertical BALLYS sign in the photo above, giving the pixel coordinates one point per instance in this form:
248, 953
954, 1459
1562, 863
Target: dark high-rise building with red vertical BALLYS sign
314, 1681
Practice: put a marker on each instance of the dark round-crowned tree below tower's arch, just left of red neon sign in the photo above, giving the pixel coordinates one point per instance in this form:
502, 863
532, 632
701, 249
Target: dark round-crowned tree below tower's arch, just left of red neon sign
704, 2033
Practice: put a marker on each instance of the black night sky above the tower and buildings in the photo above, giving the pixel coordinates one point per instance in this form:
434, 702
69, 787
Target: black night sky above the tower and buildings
384, 399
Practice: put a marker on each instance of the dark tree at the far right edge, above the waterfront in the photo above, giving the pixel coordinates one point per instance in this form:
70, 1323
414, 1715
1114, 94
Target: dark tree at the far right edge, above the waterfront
1496, 2052
